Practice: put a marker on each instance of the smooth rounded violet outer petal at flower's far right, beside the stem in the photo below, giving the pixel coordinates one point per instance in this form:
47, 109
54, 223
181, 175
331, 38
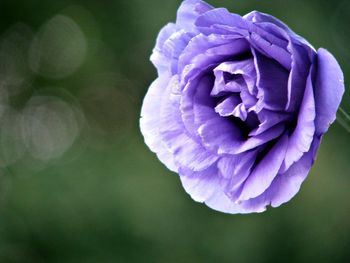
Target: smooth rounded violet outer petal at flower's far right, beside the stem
329, 90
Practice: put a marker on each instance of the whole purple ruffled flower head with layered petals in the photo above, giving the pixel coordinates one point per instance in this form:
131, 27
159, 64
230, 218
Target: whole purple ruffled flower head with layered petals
239, 106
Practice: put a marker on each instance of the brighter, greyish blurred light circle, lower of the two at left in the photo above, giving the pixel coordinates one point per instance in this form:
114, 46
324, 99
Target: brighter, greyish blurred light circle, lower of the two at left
49, 127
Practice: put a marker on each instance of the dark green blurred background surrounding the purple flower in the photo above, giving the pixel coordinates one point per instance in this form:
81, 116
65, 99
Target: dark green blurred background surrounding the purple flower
78, 183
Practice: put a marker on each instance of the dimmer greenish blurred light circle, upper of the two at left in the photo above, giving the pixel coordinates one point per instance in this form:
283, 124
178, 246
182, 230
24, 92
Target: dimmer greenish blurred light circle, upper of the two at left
58, 49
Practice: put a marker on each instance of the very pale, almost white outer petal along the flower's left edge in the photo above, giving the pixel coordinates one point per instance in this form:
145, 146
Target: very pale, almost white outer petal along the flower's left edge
150, 121
